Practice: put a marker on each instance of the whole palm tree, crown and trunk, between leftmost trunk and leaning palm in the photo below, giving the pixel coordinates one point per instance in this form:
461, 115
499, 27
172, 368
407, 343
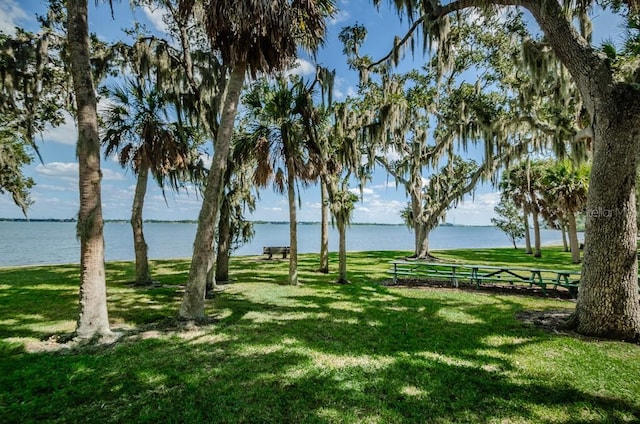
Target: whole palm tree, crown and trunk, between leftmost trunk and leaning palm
138, 129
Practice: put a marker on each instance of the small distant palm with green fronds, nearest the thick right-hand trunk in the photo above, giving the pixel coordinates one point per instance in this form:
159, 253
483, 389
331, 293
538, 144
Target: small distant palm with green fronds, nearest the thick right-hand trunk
566, 186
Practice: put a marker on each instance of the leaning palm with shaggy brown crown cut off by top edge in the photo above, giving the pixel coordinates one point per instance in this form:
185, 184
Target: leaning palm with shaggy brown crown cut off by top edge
250, 36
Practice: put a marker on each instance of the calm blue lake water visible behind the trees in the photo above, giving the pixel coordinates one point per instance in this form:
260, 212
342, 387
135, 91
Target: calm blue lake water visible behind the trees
31, 243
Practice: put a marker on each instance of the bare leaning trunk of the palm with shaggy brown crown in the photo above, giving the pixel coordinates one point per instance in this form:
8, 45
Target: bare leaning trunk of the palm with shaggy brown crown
192, 306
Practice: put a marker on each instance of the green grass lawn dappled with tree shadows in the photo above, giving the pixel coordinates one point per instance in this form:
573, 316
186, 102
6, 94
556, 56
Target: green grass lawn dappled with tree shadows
319, 353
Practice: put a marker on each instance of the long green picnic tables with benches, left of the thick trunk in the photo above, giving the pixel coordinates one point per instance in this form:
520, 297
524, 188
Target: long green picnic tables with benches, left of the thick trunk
478, 274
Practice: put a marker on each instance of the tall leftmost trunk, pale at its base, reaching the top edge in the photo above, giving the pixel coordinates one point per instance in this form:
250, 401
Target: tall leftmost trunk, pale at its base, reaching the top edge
93, 318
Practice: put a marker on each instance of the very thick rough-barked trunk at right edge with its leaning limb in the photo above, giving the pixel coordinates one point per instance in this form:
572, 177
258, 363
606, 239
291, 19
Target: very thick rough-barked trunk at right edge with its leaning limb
608, 301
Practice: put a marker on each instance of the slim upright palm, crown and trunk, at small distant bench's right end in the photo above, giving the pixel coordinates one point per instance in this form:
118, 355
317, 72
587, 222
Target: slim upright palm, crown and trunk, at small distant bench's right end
276, 139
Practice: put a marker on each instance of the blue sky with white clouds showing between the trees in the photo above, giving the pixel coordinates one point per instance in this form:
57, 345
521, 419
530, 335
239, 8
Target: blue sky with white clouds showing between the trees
56, 193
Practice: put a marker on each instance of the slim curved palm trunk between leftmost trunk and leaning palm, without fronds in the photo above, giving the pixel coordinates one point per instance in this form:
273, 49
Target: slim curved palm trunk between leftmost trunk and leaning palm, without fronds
143, 275
